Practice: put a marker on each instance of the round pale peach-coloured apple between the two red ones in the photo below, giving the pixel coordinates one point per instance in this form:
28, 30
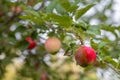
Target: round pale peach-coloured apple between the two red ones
52, 45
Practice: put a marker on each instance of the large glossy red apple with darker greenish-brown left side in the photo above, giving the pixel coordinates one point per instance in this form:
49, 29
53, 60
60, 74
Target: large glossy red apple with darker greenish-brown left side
85, 56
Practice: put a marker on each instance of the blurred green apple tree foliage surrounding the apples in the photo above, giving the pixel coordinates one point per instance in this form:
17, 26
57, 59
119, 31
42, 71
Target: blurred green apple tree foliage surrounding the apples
64, 19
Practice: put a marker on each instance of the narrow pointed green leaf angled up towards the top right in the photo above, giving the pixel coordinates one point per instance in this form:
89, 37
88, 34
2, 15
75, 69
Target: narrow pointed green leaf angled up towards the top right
82, 11
